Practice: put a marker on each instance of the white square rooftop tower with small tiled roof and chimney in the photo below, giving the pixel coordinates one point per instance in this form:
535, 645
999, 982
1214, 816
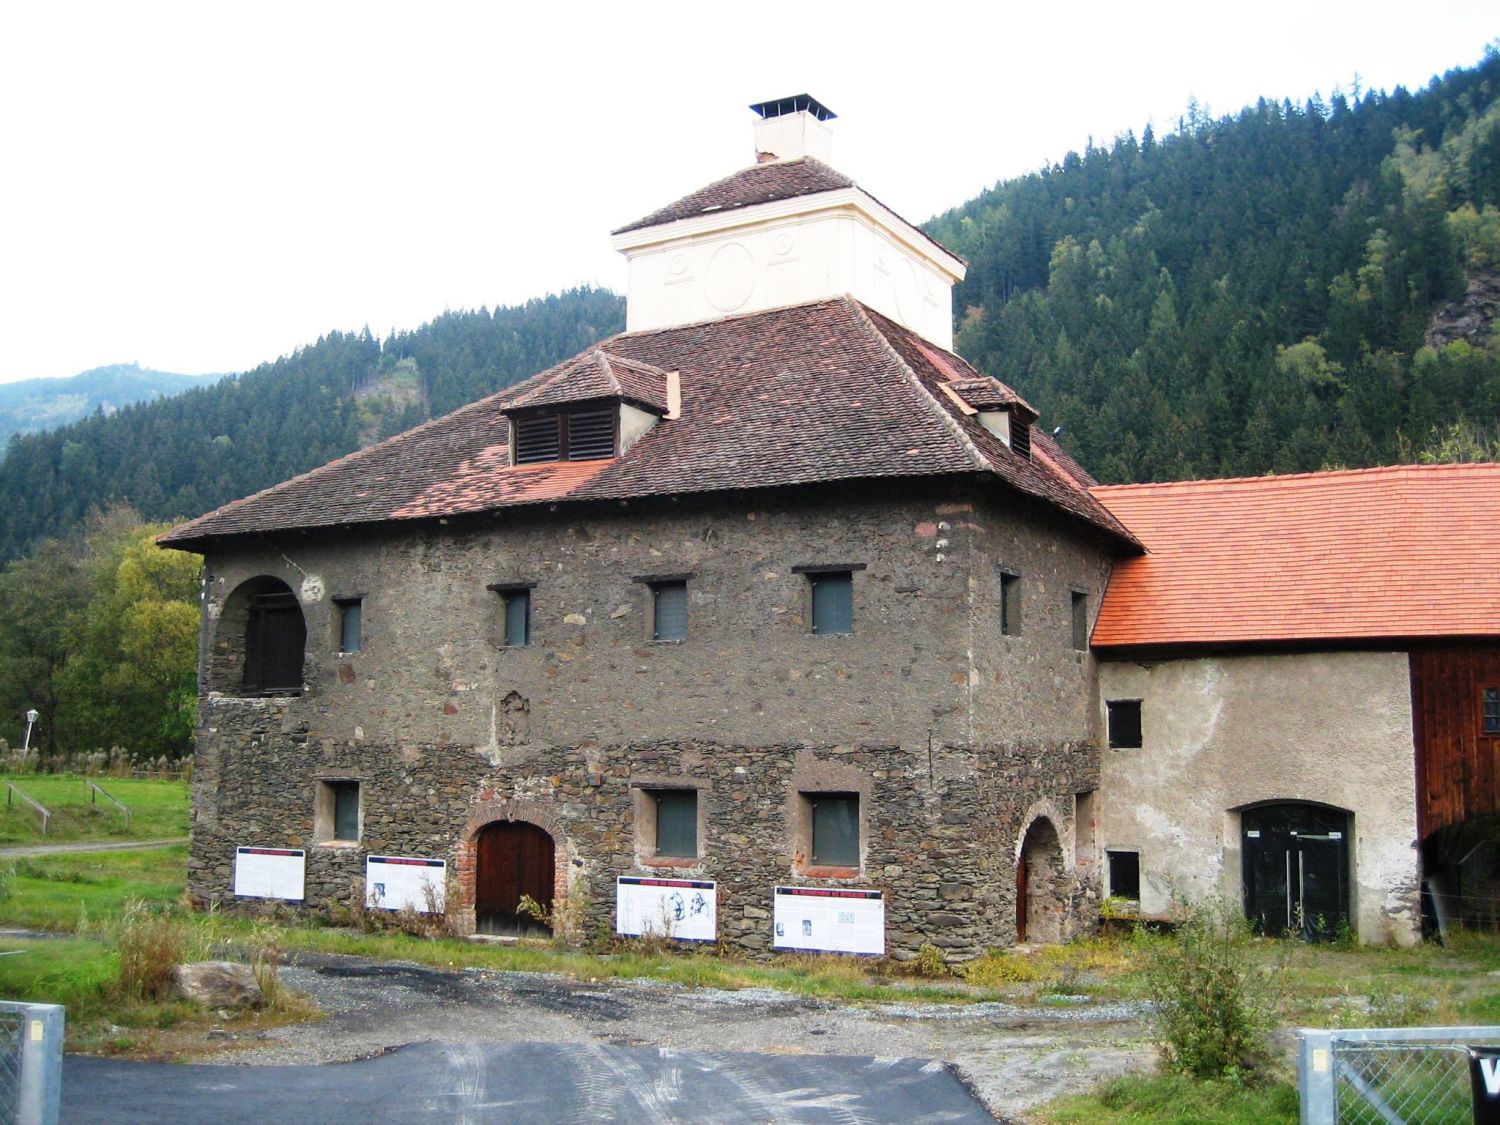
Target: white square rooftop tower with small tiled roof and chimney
787, 230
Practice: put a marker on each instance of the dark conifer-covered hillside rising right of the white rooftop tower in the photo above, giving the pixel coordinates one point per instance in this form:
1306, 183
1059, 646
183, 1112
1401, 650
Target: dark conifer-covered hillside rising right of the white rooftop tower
1249, 295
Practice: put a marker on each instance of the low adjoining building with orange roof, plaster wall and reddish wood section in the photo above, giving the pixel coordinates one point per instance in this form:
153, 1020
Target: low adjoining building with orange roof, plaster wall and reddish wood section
1301, 691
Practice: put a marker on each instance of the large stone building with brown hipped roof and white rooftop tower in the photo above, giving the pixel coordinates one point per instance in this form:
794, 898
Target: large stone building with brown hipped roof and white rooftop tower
772, 602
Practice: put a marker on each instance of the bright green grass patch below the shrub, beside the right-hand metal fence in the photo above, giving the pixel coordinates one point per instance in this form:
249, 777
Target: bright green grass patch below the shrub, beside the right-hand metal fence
1175, 1100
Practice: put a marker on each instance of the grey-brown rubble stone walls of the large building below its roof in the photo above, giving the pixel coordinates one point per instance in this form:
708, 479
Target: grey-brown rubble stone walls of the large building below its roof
445, 727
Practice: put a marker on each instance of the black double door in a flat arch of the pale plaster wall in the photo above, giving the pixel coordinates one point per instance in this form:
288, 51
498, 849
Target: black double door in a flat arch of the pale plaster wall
1297, 869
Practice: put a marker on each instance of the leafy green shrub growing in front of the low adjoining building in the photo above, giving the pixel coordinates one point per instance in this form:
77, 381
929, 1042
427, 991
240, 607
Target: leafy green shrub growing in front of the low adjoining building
1213, 1004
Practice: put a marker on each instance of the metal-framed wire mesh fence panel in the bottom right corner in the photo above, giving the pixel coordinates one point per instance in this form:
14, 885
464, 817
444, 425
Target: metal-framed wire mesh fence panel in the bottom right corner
1390, 1076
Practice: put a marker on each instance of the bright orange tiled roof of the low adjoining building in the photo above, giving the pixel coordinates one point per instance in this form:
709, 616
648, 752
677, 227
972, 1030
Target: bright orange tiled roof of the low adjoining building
1352, 556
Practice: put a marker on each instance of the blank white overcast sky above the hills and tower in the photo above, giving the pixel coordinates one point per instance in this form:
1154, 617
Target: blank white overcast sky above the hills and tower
205, 187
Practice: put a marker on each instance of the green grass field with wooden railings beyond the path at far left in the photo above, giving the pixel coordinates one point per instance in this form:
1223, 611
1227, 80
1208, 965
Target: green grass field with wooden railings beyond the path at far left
158, 811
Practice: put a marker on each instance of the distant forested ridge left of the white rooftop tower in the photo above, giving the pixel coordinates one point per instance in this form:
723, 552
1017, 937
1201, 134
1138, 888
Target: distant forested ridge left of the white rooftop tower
190, 454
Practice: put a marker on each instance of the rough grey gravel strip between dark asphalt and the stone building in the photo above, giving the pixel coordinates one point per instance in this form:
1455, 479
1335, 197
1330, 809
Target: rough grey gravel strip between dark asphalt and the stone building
1013, 1058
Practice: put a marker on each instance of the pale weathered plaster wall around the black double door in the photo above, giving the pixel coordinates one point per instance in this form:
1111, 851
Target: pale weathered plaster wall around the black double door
1225, 733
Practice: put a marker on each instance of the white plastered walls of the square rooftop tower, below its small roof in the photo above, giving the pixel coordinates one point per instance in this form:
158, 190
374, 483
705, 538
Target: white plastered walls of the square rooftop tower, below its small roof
781, 260
